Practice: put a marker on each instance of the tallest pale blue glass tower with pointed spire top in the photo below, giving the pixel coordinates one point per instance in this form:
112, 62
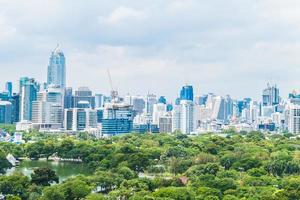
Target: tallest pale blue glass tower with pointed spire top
57, 69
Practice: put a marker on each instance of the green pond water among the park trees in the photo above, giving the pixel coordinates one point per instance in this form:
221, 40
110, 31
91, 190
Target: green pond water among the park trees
63, 170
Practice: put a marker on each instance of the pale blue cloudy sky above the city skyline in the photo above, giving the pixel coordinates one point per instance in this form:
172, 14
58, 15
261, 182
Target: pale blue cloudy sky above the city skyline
228, 47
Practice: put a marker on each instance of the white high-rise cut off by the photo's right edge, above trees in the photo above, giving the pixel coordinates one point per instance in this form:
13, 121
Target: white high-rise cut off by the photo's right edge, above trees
294, 119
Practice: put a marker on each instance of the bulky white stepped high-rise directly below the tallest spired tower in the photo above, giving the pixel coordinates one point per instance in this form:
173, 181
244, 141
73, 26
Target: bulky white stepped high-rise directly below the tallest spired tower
47, 110
